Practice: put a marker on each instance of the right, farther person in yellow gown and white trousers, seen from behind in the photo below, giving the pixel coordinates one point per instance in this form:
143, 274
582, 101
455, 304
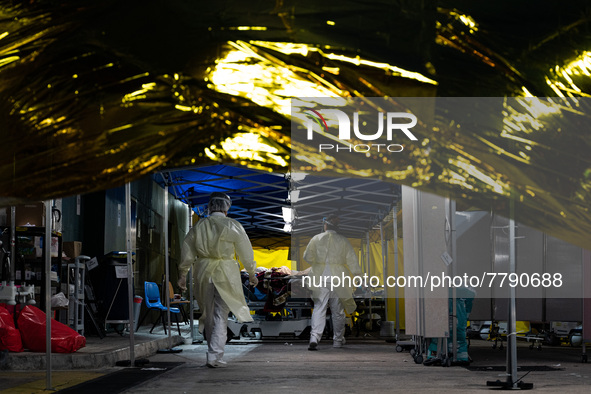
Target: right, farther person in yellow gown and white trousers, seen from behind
330, 254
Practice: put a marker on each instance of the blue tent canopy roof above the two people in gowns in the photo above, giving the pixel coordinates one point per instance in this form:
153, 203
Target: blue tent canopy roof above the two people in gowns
260, 200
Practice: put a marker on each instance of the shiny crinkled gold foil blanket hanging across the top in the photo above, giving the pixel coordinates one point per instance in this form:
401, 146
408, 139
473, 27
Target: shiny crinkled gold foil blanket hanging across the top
96, 94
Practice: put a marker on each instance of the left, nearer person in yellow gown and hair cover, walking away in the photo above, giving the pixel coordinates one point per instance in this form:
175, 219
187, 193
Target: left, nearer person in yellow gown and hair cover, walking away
210, 247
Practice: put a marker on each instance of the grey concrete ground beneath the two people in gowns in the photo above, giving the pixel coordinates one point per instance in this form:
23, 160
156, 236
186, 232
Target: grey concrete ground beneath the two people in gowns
364, 365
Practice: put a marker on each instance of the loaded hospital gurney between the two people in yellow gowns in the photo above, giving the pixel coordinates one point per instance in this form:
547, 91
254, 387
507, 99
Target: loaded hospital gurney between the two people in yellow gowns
280, 308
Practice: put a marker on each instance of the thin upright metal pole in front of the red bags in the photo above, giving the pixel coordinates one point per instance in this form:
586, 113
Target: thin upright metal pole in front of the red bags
47, 251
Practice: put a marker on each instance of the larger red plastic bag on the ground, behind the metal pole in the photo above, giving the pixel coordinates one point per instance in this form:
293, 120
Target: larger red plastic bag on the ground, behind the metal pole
31, 324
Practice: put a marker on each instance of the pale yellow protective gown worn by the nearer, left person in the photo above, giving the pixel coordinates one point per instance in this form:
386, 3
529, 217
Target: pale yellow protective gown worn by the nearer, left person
211, 246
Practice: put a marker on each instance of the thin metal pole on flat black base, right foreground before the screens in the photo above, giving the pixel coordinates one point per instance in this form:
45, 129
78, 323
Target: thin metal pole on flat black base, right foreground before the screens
512, 325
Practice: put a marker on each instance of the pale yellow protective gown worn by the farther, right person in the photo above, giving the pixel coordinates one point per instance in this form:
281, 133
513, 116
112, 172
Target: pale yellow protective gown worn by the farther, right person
331, 254
